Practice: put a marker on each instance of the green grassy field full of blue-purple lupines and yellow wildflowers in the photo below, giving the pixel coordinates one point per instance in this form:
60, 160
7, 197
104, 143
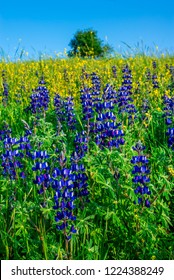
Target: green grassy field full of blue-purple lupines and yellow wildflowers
86, 159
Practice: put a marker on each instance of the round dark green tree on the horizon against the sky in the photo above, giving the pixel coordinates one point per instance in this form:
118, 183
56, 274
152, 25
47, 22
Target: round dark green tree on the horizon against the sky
87, 43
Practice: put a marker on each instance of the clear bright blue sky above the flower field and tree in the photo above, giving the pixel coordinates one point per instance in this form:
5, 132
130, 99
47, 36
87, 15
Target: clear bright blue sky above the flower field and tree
48, 26
